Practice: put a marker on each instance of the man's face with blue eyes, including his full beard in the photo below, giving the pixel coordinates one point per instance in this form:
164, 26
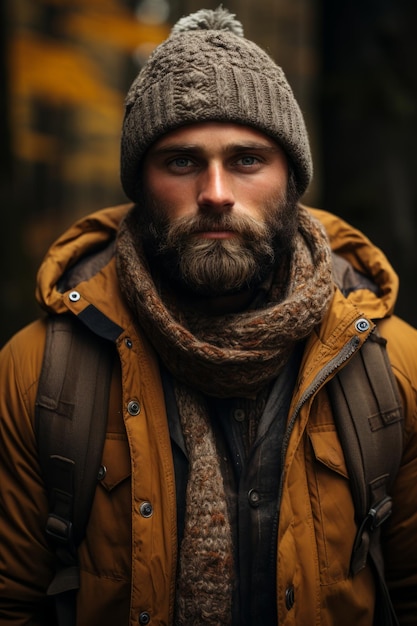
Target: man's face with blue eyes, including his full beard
215, 213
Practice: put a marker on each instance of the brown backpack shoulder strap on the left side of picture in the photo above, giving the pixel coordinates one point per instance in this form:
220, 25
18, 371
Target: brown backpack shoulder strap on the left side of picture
70, 423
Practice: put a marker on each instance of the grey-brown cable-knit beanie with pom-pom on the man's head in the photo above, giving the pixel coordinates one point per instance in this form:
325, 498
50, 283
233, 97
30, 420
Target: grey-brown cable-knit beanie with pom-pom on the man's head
207, 71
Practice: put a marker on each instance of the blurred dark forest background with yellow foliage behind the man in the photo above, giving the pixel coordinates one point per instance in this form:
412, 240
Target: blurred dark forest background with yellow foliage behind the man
65, 67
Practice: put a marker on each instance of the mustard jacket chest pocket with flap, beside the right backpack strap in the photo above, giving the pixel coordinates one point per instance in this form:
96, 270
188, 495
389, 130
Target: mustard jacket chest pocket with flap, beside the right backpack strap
331, 503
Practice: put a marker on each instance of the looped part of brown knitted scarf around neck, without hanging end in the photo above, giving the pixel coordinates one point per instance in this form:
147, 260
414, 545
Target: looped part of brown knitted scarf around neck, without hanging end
235, 354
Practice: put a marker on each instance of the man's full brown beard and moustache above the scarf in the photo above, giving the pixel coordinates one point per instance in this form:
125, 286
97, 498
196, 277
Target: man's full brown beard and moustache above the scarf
217, 267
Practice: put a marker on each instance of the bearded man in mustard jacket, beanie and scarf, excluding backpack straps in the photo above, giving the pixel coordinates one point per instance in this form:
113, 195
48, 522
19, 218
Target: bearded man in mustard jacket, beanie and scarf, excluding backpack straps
227, 306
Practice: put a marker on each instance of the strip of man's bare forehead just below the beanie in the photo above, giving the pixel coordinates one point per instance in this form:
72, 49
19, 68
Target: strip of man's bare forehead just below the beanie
206, 133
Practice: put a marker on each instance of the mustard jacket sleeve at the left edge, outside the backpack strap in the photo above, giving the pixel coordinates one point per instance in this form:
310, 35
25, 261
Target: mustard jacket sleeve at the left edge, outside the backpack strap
26, 564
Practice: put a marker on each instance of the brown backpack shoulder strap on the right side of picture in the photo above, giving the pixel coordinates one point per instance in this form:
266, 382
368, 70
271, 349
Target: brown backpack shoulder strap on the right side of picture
369, 420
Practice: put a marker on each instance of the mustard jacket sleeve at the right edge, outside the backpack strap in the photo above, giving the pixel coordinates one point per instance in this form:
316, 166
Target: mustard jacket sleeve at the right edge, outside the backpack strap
400, 537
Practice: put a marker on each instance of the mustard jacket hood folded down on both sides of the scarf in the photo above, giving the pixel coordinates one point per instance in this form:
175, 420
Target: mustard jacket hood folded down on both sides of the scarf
361, 270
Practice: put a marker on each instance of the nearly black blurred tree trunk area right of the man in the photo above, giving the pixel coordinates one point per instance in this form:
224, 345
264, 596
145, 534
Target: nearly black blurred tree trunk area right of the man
369, 122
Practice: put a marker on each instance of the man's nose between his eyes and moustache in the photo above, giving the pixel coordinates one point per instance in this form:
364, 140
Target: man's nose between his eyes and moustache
215, 190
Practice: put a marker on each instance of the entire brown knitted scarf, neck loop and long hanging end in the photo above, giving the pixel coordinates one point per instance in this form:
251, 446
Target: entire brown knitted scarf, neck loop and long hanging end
234, 355
